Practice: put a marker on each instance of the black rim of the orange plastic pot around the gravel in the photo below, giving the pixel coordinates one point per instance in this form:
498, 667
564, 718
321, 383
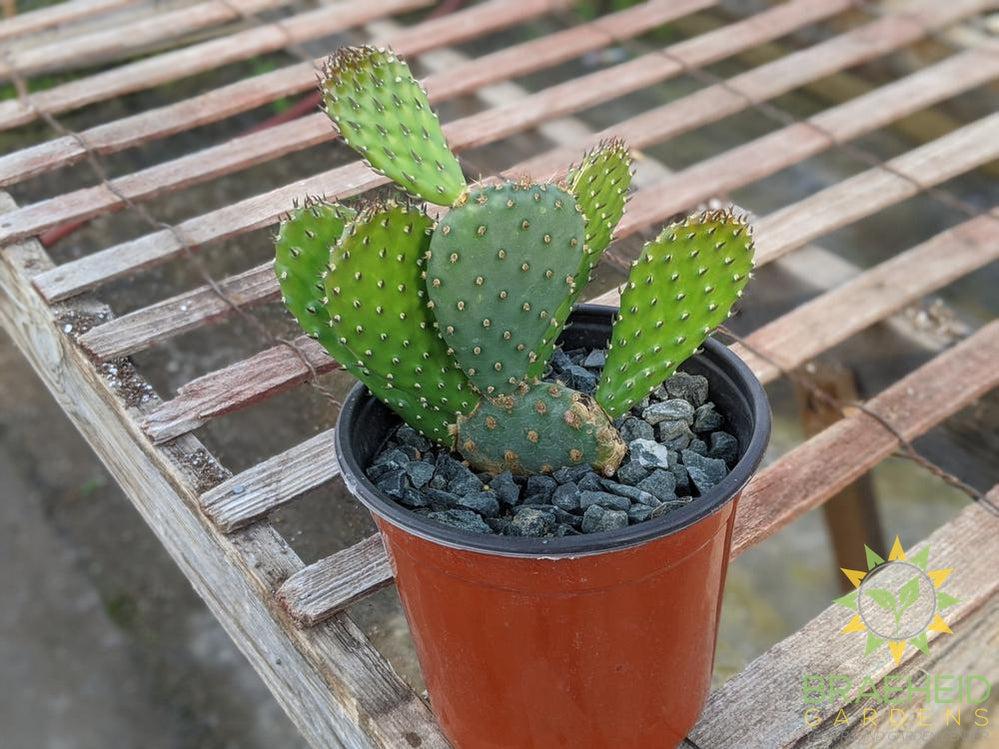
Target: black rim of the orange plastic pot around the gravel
568, 546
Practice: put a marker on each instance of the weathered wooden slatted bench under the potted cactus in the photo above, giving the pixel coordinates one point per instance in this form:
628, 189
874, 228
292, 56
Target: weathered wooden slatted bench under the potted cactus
290, 618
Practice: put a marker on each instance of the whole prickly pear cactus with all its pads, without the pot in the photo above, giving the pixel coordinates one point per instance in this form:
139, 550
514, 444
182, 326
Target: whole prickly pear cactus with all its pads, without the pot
450, 320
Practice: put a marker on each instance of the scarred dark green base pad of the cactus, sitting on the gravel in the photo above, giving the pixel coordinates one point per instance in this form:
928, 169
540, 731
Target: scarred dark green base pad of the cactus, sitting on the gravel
538, 429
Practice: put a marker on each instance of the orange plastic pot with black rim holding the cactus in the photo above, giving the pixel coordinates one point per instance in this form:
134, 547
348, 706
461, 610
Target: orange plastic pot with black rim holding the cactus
596, 641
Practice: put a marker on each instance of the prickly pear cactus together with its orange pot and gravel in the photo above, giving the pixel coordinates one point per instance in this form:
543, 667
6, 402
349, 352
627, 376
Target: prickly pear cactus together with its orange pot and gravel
542, 615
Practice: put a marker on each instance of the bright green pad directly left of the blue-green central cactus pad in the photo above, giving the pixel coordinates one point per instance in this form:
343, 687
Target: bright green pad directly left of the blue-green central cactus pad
378, 312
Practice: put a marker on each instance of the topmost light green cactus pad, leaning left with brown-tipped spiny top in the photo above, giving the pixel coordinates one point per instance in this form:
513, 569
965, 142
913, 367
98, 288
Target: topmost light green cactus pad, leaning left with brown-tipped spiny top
383, 113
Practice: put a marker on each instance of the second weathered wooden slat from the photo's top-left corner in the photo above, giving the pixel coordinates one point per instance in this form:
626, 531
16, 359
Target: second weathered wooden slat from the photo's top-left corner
120, 39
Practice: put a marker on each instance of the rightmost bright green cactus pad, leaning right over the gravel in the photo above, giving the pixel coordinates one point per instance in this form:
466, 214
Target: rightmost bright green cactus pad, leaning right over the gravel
680, 289
